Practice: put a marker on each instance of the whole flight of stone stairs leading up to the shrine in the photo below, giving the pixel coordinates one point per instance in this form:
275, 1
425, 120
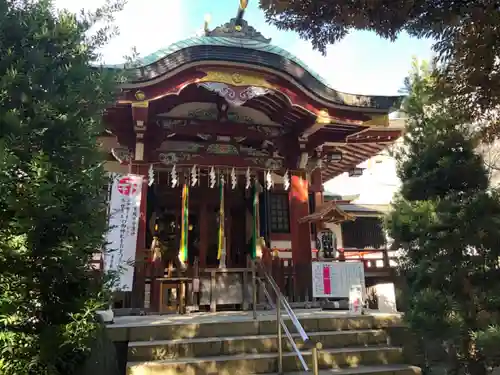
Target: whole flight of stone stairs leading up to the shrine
351, 345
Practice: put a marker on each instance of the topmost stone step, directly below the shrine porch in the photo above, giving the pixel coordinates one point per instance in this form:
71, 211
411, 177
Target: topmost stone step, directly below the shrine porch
243, 327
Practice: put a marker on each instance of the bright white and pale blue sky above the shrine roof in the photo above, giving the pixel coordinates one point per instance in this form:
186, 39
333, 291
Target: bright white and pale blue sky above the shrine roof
362, 63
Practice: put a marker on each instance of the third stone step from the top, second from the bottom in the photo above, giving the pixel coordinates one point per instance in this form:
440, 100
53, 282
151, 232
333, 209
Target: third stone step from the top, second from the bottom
267, 362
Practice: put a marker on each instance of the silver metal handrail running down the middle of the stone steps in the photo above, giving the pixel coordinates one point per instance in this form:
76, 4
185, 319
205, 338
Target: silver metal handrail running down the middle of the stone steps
281, 326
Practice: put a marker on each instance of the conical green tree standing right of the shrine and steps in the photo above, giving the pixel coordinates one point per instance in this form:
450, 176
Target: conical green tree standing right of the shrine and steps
446, 221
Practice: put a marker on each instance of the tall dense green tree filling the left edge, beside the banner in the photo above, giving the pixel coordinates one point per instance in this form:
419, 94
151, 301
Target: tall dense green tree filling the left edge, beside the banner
52, 212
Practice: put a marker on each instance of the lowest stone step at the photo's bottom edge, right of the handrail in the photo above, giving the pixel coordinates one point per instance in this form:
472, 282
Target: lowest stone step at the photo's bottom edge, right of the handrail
366, 370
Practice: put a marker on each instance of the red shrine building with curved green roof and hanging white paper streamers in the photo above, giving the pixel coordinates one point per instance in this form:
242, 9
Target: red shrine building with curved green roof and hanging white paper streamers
228, 114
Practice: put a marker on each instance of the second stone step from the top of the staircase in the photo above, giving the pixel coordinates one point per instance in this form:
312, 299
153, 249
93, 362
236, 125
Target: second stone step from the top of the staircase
213, 346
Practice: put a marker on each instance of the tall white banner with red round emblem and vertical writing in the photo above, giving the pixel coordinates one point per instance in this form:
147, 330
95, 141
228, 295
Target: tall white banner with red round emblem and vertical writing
124, 213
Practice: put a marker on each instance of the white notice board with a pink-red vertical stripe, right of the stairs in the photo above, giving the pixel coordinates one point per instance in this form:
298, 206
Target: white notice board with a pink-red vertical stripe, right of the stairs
334, 279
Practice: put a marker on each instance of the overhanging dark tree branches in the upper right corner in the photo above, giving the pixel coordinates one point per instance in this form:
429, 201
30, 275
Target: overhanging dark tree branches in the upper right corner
466, 36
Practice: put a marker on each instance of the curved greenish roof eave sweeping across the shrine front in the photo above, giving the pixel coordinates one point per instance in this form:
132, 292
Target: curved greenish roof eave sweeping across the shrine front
230, 48
